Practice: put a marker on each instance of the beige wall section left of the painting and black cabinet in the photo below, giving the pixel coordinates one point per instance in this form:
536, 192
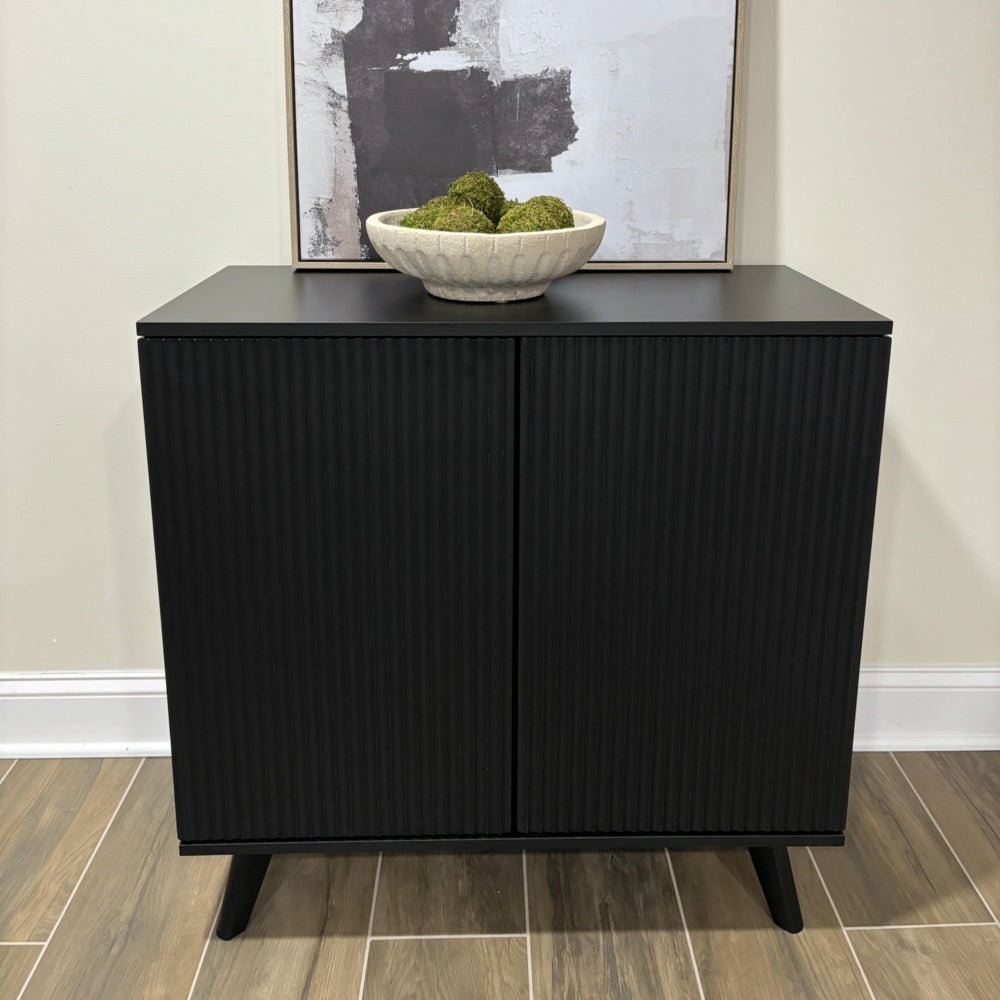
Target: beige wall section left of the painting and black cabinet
141, 149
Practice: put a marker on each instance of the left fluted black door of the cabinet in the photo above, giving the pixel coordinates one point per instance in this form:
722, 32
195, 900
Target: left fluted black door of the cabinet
334, 543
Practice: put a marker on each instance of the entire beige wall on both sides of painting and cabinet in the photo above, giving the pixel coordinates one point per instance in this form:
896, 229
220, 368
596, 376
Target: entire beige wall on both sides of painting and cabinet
142, 148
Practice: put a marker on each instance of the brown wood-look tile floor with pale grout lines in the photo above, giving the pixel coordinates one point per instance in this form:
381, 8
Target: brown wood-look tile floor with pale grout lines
96, 904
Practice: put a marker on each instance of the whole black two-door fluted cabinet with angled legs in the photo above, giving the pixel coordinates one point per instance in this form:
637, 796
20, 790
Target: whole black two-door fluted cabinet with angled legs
588, 570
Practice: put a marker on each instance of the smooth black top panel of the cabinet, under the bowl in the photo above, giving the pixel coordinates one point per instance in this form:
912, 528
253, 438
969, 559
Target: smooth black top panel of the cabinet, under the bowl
277, 301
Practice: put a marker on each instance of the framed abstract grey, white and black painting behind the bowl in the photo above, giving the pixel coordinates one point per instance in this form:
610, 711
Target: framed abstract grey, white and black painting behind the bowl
622, 109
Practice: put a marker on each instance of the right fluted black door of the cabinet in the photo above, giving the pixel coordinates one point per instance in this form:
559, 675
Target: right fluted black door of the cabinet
694, 538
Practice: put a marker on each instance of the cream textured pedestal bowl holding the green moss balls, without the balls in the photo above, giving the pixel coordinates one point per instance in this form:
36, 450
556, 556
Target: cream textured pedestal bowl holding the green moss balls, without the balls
485, 267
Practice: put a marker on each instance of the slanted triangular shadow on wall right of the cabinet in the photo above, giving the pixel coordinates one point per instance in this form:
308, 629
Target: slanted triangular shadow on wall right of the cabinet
927, 595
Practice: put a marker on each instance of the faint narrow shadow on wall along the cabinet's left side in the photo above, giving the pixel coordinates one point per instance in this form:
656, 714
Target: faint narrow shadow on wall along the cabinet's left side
135, 600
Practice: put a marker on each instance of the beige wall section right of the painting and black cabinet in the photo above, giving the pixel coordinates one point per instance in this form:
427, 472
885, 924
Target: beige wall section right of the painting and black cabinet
872, 163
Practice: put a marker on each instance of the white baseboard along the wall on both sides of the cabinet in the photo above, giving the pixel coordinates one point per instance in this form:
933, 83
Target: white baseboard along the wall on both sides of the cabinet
124, 714
